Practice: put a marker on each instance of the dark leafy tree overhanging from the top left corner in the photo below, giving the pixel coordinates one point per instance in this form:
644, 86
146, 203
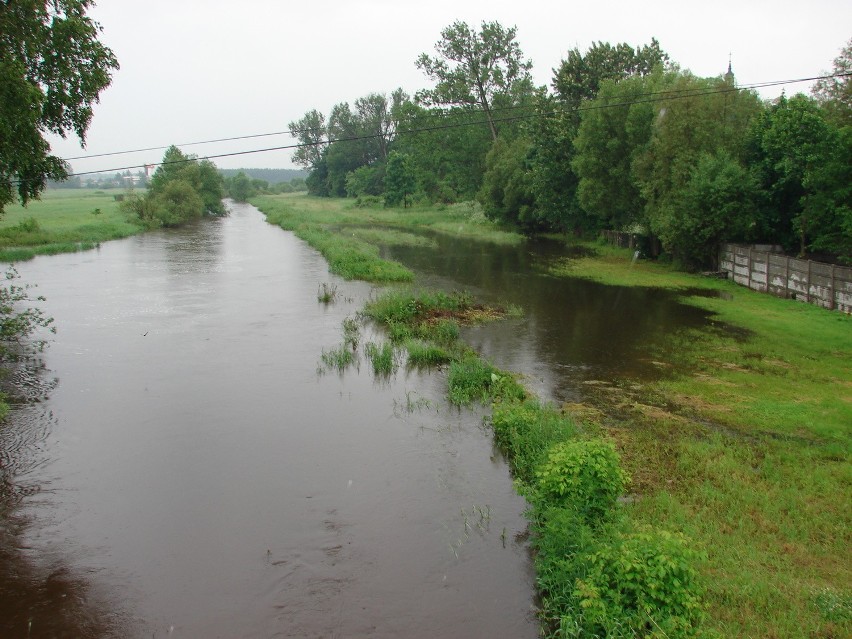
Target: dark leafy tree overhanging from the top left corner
52, 70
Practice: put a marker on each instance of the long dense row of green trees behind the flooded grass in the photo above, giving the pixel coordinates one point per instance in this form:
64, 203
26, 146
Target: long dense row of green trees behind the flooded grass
623, 139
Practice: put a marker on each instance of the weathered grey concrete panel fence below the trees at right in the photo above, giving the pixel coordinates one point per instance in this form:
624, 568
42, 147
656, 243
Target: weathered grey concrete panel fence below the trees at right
827, 285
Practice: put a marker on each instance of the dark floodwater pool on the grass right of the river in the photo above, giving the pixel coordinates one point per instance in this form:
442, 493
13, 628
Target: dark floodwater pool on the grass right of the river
574, 333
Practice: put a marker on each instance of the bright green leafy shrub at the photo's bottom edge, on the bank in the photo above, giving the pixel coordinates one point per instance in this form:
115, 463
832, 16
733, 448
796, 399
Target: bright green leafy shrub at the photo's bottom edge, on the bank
644, 584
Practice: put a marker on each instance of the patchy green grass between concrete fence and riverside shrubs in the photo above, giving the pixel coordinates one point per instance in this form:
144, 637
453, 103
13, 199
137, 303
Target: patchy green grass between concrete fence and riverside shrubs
745, 447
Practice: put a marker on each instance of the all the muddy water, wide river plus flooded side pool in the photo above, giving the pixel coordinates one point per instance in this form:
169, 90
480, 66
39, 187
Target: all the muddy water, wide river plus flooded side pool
182, 470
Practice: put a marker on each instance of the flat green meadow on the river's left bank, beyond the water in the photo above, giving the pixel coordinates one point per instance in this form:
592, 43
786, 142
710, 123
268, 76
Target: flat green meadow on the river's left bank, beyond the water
62, 221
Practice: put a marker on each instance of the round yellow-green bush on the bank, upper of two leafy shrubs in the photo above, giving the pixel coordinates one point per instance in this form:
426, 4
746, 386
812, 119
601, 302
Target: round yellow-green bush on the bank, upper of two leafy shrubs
586, 474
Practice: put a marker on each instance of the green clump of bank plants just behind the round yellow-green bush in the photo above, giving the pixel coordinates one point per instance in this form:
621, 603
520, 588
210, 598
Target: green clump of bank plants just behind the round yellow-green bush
525, 430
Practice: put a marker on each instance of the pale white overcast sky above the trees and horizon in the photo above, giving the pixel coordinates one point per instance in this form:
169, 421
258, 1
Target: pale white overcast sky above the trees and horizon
195, 70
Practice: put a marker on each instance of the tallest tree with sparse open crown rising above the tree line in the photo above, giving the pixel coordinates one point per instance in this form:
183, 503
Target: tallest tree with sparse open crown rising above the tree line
473, 69
